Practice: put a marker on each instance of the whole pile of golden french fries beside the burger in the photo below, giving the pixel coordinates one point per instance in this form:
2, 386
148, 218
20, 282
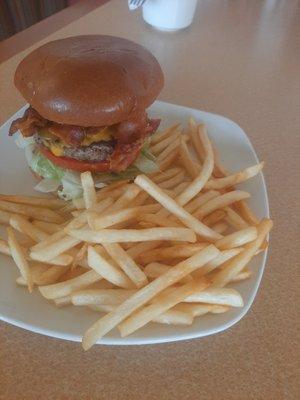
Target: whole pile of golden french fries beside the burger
160, 249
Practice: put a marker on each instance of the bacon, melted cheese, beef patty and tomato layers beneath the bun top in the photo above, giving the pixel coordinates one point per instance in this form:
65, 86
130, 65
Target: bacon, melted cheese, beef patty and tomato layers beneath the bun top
111, 148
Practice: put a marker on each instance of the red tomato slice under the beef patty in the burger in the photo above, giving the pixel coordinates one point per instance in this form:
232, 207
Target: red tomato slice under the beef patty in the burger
76, 165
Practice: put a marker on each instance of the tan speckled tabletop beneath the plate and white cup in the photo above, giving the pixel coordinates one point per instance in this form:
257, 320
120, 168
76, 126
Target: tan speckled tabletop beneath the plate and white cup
240, 59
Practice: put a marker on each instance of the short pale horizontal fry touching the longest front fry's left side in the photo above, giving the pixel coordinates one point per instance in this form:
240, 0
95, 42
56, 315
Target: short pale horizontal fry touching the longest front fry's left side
100, 296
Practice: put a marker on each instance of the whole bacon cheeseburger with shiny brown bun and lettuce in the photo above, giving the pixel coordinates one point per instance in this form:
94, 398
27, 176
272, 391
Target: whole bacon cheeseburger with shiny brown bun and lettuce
87, 100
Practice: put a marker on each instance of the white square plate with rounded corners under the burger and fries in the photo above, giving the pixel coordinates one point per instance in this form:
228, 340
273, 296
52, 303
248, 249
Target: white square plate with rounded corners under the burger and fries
33, 312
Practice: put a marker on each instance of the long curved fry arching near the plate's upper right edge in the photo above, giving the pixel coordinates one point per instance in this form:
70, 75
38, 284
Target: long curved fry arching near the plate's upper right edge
208, 164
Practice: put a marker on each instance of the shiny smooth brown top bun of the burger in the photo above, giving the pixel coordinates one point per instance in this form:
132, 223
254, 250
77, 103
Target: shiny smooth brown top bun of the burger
91, 80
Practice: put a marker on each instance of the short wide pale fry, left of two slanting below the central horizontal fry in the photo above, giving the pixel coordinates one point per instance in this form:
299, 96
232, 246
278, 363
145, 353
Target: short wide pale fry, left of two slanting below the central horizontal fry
107, 270
